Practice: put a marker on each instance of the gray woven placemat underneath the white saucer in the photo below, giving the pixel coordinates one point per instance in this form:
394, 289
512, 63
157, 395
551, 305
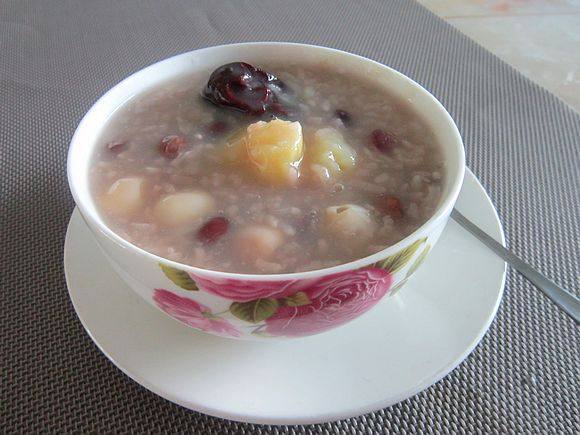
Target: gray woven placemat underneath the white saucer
58, 57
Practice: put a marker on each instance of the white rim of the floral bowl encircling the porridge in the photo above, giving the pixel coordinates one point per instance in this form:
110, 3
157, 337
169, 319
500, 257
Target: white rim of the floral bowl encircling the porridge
441, 213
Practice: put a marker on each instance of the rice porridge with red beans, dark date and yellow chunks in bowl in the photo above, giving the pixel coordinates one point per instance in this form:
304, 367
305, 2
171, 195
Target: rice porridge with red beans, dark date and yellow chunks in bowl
266, 170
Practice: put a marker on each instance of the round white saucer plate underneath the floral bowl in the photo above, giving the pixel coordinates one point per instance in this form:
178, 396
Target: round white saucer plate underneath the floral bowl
404, 345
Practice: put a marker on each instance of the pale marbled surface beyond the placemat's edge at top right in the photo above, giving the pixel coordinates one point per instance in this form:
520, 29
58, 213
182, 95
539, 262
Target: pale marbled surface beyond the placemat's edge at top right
540, 38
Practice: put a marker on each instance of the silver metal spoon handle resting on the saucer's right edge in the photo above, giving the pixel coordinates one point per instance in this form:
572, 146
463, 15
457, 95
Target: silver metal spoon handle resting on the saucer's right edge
560, 296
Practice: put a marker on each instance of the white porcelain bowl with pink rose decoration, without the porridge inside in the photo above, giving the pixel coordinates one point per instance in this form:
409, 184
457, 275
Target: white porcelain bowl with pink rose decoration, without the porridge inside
265, 307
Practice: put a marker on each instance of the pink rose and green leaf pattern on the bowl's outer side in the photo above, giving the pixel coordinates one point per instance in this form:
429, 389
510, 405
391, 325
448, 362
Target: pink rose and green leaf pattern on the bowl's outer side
290, 308
